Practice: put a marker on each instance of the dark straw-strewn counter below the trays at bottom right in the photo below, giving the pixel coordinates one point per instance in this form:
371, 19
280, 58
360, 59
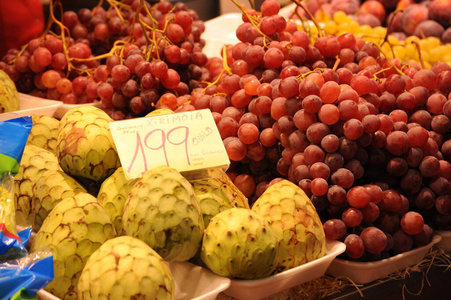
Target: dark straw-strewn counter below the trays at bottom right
429, 277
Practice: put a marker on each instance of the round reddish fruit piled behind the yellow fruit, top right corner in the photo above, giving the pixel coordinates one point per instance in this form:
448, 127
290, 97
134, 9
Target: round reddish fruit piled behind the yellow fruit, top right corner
402, 18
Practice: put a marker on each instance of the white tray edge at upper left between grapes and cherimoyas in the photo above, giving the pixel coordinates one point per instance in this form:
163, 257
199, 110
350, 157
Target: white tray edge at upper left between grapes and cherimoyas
30, 105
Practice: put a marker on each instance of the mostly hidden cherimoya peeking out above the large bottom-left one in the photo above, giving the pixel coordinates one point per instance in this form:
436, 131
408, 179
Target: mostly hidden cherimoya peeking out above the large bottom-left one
51, 187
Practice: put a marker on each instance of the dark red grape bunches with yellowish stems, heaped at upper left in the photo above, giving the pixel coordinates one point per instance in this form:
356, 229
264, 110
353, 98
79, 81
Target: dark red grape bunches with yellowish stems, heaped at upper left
126, 56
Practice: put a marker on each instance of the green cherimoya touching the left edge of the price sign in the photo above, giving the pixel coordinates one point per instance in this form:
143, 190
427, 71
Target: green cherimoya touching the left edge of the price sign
85, 146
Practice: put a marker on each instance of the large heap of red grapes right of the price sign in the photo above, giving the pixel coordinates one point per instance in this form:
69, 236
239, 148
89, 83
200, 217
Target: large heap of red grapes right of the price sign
365, 136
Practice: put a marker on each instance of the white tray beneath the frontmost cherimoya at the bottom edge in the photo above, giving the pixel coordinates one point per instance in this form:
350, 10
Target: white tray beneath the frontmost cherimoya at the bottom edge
191, 283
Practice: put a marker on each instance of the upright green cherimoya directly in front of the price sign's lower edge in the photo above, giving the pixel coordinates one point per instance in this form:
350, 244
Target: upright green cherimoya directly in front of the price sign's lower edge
163, 211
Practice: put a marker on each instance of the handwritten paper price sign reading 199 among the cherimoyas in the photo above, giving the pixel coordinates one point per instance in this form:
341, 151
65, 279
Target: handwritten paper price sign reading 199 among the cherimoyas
186, 141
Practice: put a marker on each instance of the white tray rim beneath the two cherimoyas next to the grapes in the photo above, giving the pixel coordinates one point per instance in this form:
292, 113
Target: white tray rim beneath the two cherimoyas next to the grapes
262, 288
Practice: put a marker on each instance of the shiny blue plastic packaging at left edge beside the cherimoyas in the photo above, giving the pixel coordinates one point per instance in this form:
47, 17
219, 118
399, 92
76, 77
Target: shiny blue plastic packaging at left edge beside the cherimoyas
22, 274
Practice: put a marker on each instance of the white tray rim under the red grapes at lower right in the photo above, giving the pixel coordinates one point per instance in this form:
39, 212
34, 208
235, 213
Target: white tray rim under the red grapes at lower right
365, 272
